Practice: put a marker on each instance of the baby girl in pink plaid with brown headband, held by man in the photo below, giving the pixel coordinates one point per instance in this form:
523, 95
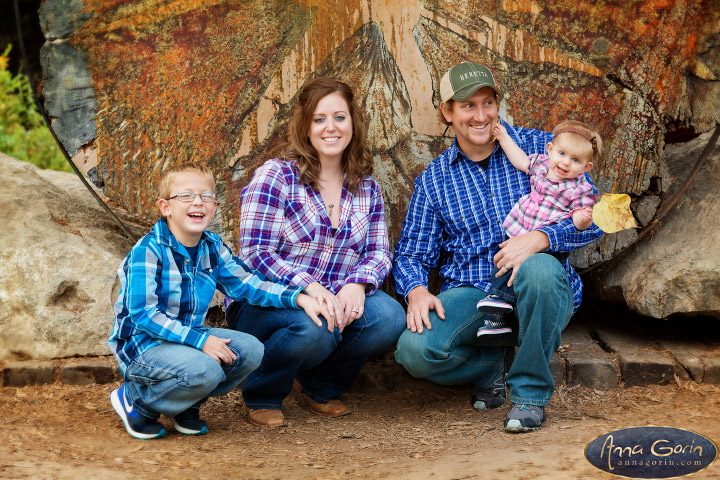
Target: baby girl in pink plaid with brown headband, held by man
558, 190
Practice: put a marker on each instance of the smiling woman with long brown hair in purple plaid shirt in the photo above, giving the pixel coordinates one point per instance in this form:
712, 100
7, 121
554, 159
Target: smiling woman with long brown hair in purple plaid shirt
314, 218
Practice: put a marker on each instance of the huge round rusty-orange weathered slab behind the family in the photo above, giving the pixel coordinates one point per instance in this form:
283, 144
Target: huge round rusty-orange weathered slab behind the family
133, 86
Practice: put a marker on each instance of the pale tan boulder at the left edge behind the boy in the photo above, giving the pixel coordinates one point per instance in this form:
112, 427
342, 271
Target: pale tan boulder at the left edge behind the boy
59, 252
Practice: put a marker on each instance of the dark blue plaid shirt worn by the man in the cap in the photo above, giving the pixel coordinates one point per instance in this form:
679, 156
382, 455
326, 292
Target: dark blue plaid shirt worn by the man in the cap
458, 208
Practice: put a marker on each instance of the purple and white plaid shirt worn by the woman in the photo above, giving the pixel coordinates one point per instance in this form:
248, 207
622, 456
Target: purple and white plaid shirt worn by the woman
286, 234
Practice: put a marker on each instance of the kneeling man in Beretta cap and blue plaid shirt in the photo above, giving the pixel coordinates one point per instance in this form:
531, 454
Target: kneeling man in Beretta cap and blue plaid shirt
455, 216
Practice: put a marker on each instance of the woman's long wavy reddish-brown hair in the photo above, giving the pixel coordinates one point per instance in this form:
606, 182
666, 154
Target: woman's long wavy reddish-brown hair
356, 160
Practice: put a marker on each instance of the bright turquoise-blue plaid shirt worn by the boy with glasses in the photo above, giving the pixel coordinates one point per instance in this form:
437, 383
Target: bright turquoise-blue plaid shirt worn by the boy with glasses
163, 298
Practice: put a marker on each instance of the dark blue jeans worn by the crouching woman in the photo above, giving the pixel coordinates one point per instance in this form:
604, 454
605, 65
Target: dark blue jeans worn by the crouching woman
324, 363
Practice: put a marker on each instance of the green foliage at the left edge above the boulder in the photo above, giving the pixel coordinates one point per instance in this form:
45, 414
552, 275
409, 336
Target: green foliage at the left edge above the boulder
23, 133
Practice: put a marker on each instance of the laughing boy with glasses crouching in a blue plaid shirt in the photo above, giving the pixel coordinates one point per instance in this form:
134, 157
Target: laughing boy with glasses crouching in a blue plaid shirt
171, 363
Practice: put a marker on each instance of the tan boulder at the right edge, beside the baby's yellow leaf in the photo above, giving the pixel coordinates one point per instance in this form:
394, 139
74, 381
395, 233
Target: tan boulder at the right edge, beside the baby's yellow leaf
674, 270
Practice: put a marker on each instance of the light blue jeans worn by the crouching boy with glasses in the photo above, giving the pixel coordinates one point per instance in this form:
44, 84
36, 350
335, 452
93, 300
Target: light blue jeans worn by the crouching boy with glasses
171, 377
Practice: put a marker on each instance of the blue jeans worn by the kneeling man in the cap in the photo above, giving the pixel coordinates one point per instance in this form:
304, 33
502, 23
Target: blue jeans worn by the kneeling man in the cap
452, 354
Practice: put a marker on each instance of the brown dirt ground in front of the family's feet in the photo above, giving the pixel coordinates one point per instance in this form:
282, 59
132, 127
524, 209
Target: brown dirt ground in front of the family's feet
65, 432
